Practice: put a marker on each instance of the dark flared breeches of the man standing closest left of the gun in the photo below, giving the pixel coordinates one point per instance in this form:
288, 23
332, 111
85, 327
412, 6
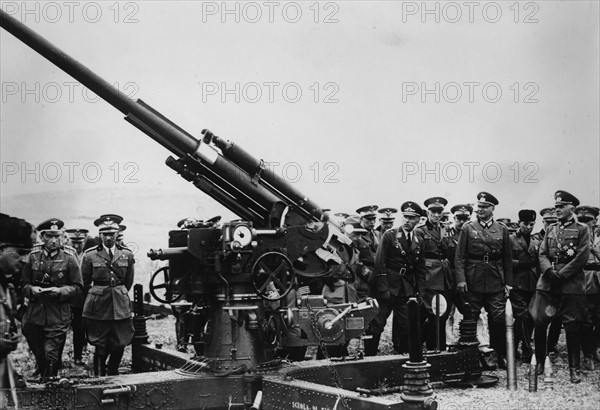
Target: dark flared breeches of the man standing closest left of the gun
108, 335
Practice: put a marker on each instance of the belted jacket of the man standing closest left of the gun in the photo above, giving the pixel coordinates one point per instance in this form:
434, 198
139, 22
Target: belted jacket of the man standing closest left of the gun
108, 281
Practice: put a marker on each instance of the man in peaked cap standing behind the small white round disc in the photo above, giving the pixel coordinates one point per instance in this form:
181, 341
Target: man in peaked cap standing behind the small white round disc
439, 278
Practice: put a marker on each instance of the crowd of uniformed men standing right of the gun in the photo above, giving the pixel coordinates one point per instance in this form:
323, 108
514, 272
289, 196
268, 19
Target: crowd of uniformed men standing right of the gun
550, 277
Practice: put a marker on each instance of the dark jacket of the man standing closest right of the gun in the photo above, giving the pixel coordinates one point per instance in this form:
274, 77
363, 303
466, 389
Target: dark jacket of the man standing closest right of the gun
398, 268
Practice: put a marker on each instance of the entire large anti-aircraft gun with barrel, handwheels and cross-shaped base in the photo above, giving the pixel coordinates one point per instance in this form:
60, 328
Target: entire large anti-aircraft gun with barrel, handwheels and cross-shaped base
243, 307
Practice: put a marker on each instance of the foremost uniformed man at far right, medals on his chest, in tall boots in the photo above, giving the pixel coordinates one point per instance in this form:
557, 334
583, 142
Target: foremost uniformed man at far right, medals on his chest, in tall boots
561, 286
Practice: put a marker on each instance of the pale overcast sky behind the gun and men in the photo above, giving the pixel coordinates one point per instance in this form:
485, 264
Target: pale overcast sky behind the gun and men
354, 103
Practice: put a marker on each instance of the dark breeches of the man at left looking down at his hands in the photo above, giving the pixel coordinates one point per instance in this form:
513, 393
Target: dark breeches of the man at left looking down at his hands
46, 342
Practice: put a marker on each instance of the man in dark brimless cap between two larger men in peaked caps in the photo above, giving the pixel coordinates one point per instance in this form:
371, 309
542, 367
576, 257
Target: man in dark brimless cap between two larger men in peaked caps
525, 250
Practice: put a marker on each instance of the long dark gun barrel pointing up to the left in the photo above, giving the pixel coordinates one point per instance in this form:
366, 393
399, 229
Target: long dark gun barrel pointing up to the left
233, 177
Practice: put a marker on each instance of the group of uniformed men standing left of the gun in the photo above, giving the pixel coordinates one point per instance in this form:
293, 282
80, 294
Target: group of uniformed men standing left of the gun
66, 279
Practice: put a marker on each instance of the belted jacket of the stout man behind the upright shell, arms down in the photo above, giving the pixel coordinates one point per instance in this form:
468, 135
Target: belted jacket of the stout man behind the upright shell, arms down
484, 257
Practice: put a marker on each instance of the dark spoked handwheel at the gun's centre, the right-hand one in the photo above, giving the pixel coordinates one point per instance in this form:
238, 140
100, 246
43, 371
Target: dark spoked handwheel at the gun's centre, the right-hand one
273, 276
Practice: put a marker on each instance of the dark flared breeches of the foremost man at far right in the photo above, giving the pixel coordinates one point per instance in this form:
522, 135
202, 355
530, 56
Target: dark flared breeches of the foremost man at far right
570, 308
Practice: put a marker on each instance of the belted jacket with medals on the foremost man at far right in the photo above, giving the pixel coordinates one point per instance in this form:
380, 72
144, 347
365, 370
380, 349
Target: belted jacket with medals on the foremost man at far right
566, 249
